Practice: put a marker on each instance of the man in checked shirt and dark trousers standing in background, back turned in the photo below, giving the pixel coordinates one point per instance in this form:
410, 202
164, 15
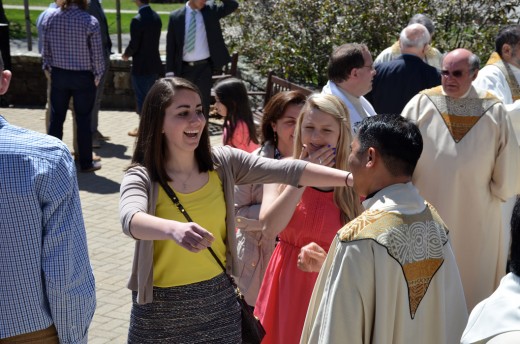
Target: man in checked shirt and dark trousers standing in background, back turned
73, 53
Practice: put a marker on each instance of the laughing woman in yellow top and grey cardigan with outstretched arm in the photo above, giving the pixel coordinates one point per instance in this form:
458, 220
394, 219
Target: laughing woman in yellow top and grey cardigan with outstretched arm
180, 293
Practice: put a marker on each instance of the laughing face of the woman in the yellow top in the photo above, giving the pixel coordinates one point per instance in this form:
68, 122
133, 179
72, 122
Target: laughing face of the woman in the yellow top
184, 121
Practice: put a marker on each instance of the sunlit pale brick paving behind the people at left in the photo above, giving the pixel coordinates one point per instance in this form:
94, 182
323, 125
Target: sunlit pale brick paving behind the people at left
111, 252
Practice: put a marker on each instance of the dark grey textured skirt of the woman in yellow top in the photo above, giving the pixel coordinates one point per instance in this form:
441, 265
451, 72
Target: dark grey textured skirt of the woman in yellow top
203, 312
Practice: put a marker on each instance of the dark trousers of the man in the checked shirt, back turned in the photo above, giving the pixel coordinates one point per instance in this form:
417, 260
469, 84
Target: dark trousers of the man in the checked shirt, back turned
81, 87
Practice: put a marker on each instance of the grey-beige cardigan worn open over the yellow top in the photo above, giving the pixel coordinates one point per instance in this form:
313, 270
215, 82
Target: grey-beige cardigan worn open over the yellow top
139, 194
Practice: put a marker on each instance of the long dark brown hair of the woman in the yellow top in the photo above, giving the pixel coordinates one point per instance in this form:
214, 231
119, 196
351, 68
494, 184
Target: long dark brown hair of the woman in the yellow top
150, 146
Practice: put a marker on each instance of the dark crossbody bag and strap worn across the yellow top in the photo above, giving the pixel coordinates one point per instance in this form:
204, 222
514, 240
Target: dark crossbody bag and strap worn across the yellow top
252, 330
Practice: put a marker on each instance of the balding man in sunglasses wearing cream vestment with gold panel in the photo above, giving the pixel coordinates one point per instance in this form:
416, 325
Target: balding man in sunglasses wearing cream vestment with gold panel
468, 167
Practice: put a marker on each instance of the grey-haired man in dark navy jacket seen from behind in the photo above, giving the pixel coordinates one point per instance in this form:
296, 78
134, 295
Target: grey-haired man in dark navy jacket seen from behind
397, 81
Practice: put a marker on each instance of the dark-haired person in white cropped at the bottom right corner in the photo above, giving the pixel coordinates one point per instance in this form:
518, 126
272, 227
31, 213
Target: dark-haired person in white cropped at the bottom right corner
497, 318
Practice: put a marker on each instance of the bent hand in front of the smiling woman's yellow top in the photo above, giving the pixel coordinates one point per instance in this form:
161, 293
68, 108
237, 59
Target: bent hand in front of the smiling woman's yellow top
192, 237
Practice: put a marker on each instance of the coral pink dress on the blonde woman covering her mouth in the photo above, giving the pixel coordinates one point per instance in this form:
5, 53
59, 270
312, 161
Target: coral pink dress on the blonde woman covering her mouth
286, 291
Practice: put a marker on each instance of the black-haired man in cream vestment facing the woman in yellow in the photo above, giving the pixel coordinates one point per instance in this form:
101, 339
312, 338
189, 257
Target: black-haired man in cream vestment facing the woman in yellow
390, 275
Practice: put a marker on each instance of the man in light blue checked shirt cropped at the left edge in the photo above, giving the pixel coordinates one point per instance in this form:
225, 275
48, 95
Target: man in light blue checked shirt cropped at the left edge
47, 290
